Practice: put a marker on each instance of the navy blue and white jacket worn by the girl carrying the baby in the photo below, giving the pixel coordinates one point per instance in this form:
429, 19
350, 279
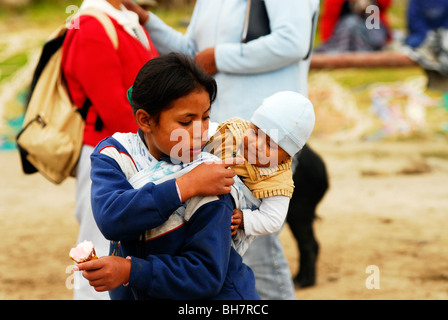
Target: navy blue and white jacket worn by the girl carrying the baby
178, 251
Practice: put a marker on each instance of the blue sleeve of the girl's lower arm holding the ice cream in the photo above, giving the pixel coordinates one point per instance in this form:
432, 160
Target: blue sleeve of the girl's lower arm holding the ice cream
199, 269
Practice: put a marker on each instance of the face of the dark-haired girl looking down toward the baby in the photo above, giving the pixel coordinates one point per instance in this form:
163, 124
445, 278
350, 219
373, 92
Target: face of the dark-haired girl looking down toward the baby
181, 130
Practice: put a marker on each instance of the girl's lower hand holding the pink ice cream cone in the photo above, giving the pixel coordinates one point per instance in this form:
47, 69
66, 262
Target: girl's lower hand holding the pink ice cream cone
105, 273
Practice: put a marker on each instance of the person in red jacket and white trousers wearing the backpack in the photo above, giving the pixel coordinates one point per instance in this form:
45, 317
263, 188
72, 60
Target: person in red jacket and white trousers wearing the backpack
98, 74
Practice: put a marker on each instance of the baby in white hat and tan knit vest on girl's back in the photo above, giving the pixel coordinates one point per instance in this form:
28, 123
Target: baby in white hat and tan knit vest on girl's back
278, 129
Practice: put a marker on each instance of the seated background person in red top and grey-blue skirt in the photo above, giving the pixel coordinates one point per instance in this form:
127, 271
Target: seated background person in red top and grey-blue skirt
343, 26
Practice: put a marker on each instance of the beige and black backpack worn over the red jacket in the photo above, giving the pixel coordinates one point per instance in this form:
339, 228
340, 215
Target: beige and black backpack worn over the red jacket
51, 138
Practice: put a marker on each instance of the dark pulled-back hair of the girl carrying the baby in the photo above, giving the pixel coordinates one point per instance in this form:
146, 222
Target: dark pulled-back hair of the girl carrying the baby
166, 78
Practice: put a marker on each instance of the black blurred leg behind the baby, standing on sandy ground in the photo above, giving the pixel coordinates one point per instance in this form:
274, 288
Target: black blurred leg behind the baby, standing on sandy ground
311, 182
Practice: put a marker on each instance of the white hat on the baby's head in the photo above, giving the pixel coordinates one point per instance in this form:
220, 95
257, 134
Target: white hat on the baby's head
287, 118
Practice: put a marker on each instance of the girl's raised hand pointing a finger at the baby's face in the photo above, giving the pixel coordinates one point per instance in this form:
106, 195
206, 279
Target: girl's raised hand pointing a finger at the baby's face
208, 179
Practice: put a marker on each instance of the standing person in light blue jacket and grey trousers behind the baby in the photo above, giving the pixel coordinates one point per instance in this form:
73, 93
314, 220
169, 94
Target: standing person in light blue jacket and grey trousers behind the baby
246, 74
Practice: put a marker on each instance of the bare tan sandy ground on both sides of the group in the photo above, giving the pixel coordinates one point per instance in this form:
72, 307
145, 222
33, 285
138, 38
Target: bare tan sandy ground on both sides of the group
386, 208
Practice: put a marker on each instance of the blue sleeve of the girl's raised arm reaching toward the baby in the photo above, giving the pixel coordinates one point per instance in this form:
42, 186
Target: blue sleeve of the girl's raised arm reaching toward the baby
122, 212
